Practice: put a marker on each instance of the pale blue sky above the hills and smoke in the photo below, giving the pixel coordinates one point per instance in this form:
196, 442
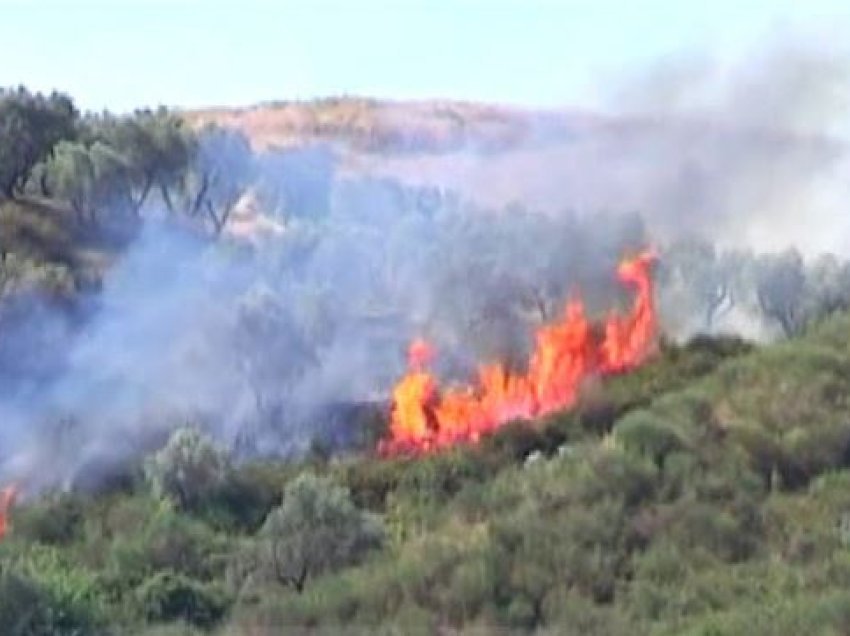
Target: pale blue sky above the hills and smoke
121, 54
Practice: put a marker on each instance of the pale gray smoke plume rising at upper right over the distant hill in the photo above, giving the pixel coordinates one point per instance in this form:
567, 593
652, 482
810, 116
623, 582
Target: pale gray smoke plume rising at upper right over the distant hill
740, 152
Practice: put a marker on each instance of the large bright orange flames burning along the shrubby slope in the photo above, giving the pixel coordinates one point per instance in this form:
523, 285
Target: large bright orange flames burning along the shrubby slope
566, 353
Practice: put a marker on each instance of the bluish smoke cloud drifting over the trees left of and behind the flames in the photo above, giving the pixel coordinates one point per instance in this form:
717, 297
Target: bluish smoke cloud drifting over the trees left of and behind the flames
255, 342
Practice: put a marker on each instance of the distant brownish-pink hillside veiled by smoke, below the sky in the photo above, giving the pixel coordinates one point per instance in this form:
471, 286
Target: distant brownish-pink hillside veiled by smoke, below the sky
720, 168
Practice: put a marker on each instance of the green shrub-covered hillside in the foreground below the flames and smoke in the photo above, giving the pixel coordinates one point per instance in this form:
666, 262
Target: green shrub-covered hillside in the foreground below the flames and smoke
707, 493
